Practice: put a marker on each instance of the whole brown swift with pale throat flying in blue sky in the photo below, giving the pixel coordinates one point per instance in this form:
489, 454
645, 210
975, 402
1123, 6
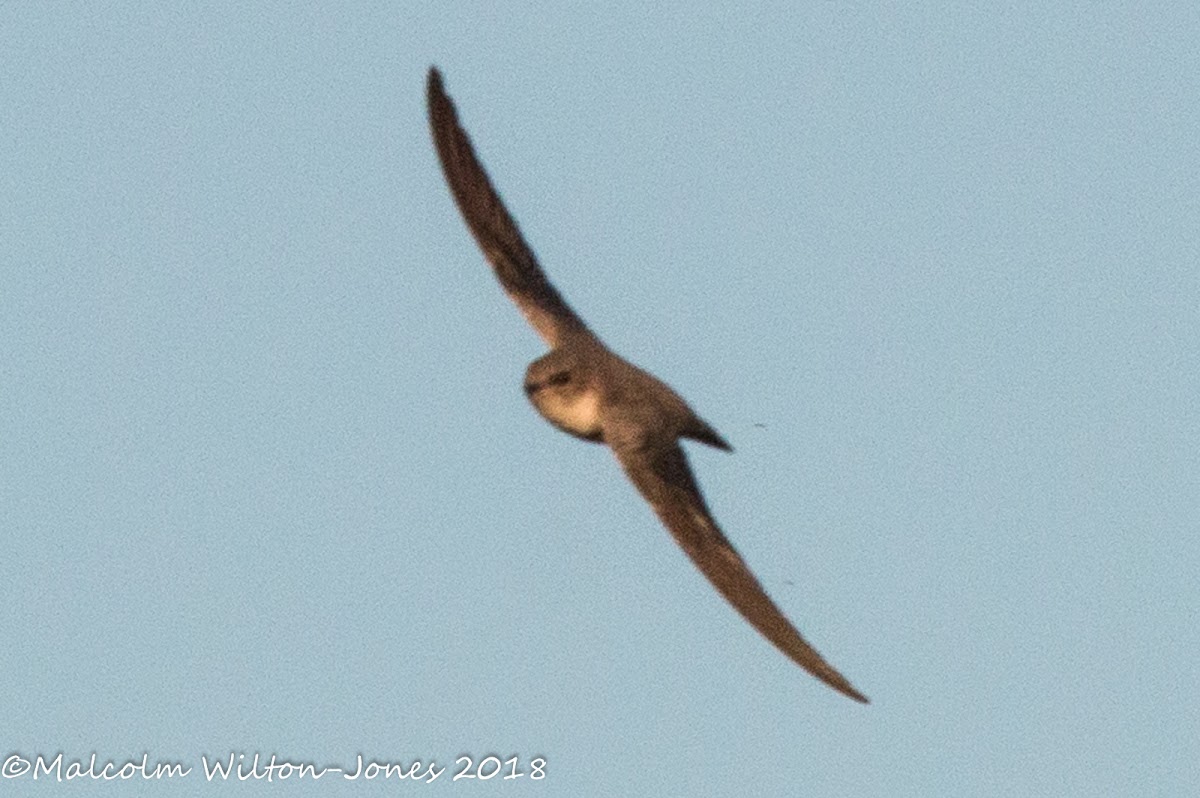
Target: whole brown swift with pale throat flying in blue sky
587, 391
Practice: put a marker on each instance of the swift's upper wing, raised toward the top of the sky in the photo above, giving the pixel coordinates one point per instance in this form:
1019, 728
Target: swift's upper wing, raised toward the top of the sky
497, 235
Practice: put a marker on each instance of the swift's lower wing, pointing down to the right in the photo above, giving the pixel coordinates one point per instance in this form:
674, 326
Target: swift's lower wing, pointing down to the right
659, 470
